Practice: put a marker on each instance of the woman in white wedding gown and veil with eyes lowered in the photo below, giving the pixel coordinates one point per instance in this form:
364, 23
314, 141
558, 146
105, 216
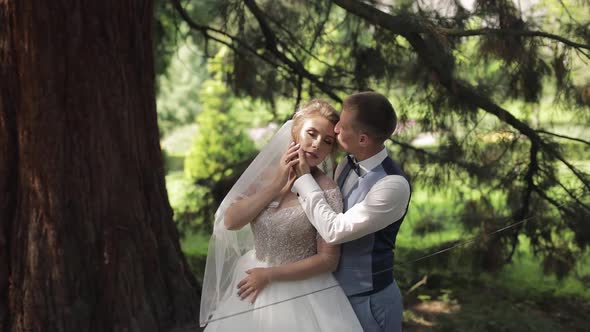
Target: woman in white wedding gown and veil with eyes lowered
267, 269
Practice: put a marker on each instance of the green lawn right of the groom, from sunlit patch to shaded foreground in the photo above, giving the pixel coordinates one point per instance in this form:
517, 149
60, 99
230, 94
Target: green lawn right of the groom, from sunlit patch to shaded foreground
456, 297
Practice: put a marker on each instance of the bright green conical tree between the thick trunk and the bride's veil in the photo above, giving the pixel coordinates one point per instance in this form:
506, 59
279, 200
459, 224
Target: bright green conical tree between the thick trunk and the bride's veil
218, 155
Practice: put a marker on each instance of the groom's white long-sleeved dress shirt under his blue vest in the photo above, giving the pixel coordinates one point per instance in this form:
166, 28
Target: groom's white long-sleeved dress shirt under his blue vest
385, 203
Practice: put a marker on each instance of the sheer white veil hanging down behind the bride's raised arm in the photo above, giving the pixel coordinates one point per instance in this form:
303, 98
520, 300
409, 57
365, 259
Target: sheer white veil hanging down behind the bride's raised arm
225, 246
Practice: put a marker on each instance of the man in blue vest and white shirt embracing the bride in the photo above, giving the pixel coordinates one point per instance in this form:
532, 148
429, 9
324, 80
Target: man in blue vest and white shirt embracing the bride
376, 195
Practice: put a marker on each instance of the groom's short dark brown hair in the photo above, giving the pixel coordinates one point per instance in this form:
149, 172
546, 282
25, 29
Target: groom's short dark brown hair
374, 114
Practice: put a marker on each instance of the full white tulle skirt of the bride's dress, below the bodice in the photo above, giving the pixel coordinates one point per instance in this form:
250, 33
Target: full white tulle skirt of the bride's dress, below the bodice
314, 304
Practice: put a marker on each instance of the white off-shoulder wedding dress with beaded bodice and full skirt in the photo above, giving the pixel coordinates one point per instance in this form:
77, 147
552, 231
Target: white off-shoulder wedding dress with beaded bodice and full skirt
318, 303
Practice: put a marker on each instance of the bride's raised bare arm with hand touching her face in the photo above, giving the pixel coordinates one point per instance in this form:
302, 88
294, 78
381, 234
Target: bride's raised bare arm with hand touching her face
242, 212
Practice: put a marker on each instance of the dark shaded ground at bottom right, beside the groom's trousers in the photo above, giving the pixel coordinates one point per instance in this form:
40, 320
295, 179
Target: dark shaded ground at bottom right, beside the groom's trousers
468, 305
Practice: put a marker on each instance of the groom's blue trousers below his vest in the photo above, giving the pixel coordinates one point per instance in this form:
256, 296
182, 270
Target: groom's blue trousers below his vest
381, 311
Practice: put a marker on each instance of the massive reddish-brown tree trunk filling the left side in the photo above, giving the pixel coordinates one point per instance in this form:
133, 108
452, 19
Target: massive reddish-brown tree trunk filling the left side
87, 241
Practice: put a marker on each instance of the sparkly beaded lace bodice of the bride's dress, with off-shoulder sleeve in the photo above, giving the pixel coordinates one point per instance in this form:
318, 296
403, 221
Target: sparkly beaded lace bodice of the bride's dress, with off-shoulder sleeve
285, 235
